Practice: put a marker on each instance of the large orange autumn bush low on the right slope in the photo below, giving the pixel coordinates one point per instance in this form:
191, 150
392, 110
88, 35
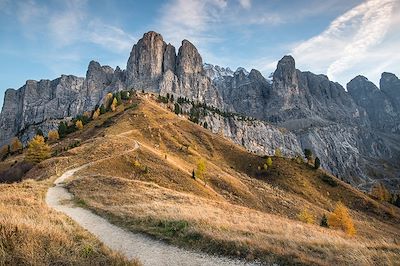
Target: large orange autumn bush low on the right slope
341, 219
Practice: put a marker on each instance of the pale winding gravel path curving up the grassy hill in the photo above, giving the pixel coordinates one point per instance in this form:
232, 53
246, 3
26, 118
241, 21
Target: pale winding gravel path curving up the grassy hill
133, 245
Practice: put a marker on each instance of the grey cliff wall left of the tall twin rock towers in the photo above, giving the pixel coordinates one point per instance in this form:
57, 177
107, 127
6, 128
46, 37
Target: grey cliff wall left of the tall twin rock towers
42, 104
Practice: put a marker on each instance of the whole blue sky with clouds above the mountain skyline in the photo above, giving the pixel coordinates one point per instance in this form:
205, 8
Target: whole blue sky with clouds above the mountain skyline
340, 38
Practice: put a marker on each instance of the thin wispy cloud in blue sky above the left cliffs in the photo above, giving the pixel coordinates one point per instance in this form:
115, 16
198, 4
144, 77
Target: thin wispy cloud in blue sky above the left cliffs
70, 24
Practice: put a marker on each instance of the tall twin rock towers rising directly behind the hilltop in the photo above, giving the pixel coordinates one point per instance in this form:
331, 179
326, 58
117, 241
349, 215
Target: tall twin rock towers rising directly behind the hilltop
154, 66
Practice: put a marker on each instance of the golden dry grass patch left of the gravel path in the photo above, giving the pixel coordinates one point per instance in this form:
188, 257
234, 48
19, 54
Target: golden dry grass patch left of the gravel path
32, 234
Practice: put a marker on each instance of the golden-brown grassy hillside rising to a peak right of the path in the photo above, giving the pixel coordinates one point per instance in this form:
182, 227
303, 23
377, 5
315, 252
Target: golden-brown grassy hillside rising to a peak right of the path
234, 209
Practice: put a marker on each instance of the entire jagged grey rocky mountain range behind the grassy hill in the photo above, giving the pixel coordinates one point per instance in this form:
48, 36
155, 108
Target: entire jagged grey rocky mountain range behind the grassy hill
350, 131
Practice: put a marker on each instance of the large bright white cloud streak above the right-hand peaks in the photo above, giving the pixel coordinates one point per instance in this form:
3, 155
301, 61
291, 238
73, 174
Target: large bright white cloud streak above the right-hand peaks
354, 41
